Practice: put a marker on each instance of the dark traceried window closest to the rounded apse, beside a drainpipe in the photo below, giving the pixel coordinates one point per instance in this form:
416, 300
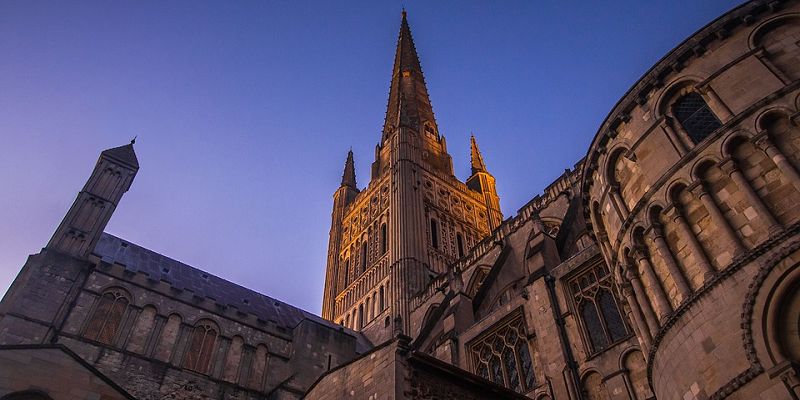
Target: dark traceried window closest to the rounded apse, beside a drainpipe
598, 308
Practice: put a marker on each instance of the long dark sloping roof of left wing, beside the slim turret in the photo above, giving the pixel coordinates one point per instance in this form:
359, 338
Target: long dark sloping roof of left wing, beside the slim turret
135, 258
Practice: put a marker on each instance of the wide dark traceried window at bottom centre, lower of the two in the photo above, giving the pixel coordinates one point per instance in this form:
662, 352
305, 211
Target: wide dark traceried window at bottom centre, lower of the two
502, 356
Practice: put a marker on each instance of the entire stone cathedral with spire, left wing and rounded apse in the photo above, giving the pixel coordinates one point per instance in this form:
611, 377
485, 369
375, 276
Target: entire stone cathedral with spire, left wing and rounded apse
664, 265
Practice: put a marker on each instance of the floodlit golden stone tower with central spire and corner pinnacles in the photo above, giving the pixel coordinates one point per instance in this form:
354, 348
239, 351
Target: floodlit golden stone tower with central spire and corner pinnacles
412, 221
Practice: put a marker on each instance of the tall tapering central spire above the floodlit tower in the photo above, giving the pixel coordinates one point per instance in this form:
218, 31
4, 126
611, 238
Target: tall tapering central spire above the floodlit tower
409, 104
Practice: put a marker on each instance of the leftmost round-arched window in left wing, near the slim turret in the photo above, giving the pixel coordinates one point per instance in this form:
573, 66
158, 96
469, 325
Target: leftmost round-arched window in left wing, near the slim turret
107, 316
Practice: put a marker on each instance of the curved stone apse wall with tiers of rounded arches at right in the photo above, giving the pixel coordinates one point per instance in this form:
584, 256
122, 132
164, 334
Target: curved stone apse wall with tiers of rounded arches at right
689, 183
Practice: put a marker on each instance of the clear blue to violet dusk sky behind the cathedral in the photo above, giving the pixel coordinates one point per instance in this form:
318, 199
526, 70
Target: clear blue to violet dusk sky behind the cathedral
245, 110
